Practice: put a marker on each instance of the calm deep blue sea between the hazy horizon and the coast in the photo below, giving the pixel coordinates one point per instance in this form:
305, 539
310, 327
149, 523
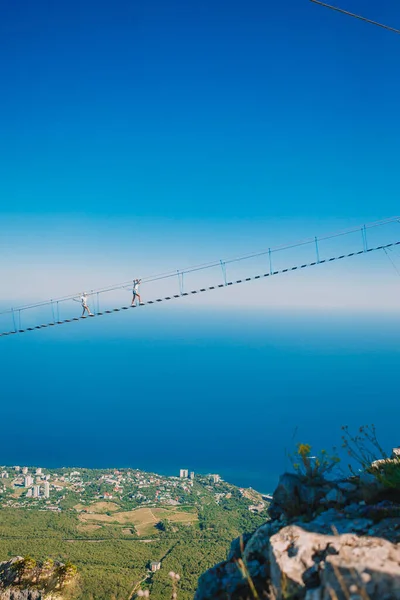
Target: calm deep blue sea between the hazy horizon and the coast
228, 392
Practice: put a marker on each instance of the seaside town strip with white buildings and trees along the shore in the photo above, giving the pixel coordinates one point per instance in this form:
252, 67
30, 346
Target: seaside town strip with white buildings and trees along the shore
60, 489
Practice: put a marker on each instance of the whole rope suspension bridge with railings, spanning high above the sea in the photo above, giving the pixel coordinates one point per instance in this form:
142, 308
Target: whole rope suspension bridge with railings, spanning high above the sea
316, 251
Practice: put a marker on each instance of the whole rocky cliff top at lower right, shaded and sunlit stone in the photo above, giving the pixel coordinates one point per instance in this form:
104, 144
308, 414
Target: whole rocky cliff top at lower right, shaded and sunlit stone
326, 540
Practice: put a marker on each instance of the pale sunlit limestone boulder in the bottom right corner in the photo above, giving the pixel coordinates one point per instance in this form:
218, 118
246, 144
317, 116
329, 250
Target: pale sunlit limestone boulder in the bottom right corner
342, 565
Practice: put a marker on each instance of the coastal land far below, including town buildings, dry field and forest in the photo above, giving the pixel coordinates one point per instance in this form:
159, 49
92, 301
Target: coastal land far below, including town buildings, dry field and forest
124, 531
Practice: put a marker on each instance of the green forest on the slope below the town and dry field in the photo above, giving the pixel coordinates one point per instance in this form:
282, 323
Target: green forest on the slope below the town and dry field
112, 563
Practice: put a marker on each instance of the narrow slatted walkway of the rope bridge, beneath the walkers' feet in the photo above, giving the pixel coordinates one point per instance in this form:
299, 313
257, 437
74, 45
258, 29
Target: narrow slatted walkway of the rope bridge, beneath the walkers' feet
206, 289
